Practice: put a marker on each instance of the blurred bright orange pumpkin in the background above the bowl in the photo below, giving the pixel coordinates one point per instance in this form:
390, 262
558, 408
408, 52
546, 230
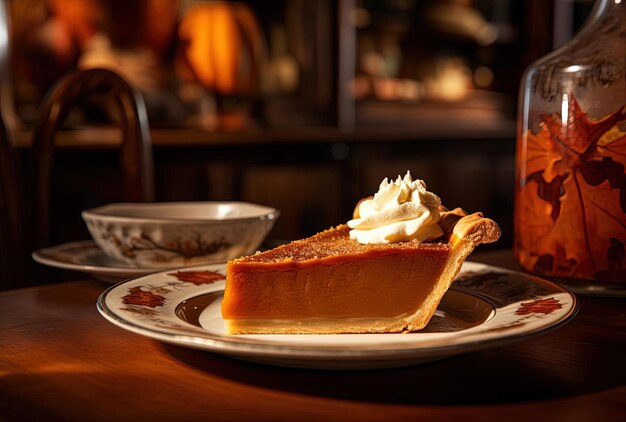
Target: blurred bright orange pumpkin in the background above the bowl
222, 47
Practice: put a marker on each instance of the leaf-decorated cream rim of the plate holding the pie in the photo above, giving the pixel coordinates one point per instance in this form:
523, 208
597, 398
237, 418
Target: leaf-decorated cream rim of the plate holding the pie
468, 340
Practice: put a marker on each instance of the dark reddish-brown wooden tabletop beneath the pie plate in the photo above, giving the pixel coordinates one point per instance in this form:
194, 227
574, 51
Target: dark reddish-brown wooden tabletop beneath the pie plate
60, 360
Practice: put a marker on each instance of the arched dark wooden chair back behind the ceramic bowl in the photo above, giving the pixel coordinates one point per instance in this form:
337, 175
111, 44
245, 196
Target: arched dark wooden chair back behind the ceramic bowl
135, 151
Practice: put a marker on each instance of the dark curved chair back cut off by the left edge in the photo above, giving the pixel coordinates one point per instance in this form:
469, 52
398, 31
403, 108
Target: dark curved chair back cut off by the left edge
12, 269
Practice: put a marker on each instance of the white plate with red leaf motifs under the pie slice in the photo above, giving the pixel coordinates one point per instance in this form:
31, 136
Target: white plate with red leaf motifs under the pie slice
487, 307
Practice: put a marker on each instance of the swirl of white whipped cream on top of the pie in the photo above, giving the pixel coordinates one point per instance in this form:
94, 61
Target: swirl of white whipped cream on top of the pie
400, 211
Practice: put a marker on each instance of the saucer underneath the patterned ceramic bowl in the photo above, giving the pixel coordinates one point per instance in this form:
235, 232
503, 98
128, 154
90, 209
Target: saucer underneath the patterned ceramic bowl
85, 256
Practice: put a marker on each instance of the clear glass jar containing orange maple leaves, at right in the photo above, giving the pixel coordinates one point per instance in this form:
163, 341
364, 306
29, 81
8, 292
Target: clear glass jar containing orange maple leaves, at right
570, 193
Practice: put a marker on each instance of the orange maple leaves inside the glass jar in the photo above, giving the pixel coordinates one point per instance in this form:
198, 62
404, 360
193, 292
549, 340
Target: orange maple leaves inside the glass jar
572, 199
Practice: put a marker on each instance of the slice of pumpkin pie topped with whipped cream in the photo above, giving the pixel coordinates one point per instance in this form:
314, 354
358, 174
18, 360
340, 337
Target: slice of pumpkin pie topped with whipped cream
384, 271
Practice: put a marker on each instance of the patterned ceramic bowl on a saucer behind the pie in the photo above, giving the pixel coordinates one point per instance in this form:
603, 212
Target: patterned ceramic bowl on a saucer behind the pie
174, 234
